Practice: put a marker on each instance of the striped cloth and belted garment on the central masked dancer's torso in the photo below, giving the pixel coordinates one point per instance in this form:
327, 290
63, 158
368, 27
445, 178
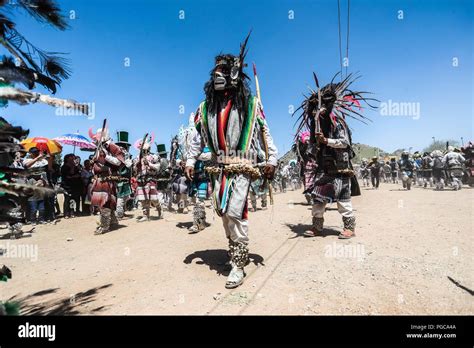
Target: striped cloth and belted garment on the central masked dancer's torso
229, 137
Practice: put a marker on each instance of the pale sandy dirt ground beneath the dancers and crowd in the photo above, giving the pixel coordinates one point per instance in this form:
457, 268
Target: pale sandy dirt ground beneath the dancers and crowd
413, 254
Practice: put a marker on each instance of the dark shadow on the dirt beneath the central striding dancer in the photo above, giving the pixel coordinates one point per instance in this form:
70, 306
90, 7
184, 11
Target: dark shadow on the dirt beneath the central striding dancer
216, 259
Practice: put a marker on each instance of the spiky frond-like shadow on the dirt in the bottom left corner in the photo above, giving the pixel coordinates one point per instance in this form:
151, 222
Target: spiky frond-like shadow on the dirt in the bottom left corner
72, 305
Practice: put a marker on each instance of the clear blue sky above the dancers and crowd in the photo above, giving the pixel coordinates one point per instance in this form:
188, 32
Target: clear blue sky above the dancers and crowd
402, 60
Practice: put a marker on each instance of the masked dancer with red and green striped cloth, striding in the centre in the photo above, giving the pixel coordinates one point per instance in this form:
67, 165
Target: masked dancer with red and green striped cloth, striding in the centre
231, 123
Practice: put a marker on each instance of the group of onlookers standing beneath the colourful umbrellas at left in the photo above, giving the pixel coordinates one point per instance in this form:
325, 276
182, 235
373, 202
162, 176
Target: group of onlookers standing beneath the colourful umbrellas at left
67, 176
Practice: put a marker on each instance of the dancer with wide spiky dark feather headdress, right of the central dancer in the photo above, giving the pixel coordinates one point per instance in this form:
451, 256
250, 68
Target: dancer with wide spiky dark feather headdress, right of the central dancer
324, 114
